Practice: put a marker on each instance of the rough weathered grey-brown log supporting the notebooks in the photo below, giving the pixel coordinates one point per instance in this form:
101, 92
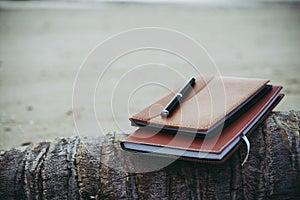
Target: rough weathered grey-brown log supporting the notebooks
98, 169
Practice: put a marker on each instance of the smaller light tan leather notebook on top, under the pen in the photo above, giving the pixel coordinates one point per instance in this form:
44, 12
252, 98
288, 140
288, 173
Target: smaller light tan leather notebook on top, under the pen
212, 101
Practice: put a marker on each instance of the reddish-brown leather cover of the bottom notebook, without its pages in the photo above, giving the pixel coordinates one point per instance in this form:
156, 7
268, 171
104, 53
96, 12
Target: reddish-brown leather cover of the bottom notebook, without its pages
212, 144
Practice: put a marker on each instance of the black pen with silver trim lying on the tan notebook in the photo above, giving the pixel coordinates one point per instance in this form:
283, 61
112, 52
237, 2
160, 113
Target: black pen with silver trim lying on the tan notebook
178, 98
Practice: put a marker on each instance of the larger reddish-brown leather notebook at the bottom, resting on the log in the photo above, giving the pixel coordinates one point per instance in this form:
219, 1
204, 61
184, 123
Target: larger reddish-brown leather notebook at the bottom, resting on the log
208, 149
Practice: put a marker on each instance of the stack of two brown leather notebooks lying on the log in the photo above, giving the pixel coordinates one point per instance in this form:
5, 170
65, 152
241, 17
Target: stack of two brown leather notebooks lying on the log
209, 123
